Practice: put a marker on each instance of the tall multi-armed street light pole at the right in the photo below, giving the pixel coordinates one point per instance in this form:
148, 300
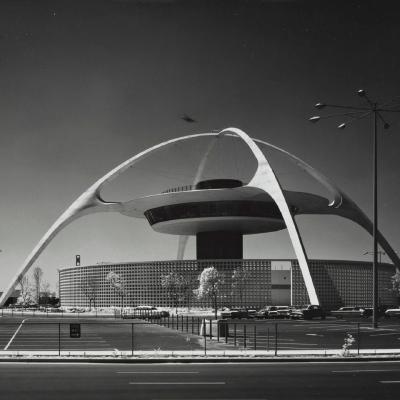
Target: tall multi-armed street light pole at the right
357, 113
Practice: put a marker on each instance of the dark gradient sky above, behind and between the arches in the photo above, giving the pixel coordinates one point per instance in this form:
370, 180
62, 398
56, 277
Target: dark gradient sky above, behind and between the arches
84, 85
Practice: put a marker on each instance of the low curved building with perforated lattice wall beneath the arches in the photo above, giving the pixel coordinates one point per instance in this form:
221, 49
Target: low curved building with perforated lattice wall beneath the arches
278, 282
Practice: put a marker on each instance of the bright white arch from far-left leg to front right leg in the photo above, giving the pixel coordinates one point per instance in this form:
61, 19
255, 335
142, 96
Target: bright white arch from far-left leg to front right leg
91, 202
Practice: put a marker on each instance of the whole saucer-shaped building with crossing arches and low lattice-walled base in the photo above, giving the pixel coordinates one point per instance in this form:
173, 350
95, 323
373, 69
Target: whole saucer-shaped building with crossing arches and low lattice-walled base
218, 212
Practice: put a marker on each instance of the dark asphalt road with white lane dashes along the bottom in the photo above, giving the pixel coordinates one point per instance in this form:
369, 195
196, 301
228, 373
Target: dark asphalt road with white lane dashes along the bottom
255, 381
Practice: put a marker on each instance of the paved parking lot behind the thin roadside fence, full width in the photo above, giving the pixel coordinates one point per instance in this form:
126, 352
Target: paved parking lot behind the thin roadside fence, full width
106, 334
